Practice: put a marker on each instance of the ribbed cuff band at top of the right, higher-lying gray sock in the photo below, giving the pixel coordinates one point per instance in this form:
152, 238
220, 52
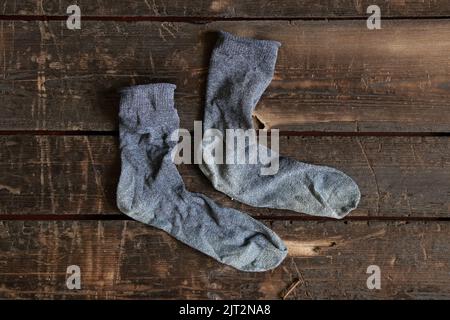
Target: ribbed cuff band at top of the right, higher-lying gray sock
230, 43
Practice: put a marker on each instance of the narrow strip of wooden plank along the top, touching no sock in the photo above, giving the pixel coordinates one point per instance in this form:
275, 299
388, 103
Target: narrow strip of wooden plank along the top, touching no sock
231, 8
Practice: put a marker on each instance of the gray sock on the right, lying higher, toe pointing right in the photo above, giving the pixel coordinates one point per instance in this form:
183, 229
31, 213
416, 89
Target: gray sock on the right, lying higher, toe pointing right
240, 71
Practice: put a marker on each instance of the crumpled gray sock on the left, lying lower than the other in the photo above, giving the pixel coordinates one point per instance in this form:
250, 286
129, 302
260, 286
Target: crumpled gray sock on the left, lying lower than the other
151, 190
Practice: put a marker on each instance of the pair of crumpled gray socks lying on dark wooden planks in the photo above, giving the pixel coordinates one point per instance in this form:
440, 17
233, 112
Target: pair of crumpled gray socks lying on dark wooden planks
152, 191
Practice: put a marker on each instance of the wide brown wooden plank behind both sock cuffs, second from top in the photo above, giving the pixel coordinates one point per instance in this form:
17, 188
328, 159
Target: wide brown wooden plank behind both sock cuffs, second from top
330, 76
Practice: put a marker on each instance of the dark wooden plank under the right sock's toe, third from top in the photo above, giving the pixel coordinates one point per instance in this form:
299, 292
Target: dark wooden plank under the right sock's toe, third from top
398, 176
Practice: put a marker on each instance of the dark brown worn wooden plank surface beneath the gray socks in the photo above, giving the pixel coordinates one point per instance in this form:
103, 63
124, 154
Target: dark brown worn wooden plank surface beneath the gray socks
375, 104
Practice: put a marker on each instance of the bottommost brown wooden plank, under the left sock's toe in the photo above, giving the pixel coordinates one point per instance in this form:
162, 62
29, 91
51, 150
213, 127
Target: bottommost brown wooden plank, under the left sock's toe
130, 260
